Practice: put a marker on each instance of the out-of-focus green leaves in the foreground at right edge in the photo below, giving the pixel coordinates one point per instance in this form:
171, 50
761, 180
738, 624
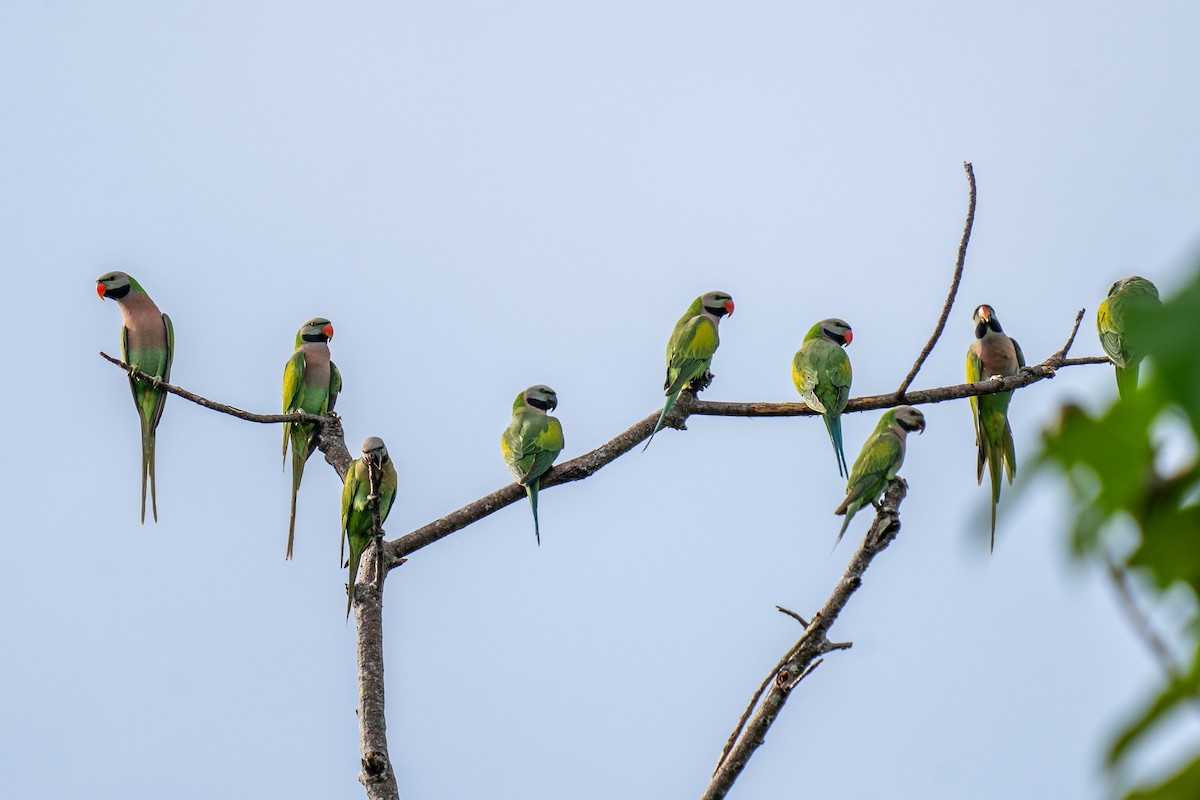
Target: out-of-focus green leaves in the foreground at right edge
1113, 467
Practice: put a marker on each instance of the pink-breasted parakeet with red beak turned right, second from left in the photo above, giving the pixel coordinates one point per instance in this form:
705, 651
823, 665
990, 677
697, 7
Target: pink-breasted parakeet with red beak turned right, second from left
311, 383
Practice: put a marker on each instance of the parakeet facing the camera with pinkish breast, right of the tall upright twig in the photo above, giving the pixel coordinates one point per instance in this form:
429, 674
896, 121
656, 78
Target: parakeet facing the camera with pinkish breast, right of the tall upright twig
993, 356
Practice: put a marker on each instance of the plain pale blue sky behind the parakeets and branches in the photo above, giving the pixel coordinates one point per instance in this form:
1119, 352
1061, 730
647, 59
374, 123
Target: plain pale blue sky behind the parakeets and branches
484, 196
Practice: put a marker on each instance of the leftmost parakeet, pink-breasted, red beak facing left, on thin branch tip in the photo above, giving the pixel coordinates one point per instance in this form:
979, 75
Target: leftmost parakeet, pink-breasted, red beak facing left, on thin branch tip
148, 342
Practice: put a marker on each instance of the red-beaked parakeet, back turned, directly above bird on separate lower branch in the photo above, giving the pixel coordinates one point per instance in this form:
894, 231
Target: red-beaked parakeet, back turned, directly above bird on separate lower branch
821, 374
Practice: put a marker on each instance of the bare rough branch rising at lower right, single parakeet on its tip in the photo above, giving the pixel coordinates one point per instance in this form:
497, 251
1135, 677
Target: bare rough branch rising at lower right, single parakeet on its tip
803, 657
